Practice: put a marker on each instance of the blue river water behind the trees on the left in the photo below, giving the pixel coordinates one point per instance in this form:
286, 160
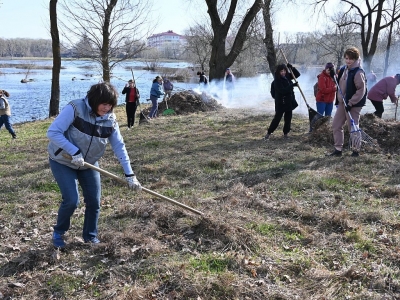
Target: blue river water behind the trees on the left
30, 101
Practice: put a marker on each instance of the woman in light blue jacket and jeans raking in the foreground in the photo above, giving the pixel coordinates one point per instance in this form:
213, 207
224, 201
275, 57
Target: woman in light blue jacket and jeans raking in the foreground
82, 131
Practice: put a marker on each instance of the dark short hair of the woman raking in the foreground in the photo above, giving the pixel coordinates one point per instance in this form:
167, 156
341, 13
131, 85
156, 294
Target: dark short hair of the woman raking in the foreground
102, 93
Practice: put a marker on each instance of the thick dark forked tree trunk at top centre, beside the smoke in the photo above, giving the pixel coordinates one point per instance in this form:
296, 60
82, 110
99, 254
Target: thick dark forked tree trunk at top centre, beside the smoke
219, 60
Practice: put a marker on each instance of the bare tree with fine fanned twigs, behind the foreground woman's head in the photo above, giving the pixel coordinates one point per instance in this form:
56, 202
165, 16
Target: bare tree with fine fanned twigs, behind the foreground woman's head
113, 29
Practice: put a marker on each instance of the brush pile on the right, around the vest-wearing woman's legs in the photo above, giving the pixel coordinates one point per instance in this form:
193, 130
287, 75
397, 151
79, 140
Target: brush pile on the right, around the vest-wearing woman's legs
384, 133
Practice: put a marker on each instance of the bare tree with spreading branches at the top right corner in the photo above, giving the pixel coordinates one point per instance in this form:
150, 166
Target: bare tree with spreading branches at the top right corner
371, 17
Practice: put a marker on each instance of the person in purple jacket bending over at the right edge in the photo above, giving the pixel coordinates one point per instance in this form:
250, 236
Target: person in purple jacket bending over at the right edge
381, 90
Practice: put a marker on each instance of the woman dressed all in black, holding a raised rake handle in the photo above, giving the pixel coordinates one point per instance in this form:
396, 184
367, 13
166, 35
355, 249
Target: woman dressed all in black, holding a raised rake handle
284, 98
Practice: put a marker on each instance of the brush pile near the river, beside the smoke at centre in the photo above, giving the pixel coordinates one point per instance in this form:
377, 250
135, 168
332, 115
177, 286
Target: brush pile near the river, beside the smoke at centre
188, 101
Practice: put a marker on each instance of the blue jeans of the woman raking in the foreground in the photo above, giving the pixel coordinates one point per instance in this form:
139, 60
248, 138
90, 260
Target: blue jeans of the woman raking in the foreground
67, 180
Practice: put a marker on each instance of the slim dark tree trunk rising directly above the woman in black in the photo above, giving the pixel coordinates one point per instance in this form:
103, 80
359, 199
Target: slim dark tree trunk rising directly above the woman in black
269, 36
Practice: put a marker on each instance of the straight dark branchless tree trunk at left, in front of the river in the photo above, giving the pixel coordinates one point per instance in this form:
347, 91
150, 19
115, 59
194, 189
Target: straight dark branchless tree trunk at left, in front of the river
54, 106
